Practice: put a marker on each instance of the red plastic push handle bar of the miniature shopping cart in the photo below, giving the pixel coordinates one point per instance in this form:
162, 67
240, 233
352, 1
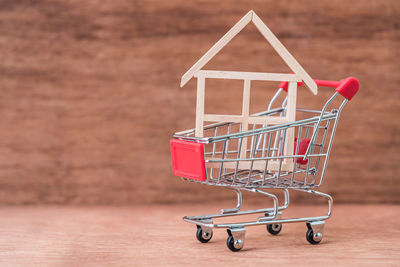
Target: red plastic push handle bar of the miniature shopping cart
347, 87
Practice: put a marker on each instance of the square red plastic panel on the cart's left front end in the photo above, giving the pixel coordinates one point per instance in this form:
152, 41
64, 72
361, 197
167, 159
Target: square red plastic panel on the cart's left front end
188, 159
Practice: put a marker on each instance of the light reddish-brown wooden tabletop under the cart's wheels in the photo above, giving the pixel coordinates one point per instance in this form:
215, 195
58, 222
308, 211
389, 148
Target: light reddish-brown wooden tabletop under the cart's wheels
356, 235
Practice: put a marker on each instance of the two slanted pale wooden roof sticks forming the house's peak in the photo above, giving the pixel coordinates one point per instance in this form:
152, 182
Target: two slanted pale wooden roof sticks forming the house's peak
251, 16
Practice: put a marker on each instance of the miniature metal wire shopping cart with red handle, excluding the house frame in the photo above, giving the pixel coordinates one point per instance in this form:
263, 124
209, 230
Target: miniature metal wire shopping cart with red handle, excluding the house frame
227, 168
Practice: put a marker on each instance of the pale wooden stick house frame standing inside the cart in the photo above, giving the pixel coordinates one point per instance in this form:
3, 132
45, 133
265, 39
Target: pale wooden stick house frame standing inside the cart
298, 75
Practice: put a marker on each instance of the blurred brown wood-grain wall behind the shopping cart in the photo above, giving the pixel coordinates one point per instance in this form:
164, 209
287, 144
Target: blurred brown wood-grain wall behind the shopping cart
90, 92
